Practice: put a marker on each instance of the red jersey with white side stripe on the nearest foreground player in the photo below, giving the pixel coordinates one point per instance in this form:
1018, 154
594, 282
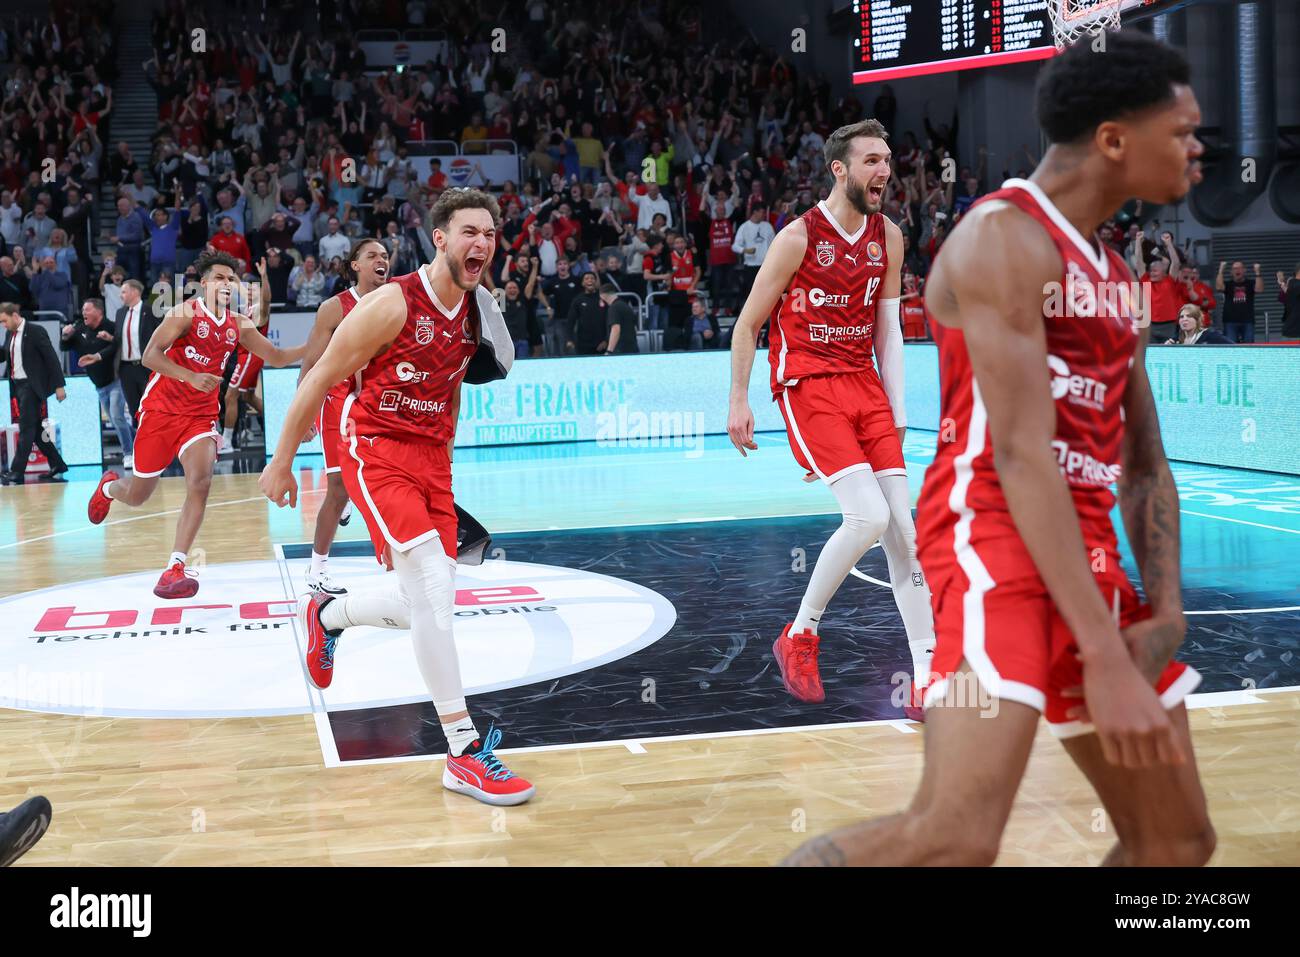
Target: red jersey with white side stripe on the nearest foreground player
1091, 349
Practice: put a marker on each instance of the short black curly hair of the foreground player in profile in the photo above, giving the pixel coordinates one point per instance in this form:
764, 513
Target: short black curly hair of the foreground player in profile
1085, 86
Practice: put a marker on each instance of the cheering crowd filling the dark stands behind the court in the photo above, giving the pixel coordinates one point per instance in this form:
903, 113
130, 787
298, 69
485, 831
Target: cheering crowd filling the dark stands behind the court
661, 150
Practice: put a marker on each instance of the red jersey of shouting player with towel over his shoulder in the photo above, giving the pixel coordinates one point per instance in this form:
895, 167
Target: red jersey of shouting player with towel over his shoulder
408, 389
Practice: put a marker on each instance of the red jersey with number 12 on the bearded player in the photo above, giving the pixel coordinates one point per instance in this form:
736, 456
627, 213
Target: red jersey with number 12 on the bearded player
827, 314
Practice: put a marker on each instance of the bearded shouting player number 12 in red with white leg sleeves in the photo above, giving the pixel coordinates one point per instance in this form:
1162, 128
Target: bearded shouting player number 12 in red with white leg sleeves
837, 275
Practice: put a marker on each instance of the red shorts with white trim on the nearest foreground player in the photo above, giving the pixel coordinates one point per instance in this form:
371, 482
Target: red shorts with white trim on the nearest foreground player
1021, 649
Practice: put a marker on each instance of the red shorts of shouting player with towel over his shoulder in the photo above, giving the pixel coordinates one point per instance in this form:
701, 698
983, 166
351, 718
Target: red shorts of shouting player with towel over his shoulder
404, 491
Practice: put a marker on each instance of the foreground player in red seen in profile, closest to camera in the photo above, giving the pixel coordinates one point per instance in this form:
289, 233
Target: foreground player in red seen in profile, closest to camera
1051, 402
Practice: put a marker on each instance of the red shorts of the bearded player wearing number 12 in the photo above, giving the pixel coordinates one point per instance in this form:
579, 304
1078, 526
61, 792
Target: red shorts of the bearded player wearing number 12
840, 425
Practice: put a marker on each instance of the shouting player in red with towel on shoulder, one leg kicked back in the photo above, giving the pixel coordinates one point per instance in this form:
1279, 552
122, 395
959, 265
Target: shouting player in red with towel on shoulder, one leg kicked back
408, 348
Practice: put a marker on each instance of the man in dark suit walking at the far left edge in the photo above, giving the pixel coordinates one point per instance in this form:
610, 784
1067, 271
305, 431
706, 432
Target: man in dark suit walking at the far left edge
34, 376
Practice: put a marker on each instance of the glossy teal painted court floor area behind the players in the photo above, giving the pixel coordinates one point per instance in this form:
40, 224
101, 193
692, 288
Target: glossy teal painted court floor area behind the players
1241, 529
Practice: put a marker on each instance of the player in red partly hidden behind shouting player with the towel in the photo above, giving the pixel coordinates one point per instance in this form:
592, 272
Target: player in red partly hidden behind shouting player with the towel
369, 262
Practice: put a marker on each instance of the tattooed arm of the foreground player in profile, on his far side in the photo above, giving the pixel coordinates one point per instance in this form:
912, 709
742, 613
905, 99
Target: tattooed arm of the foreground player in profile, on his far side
1149, 503
